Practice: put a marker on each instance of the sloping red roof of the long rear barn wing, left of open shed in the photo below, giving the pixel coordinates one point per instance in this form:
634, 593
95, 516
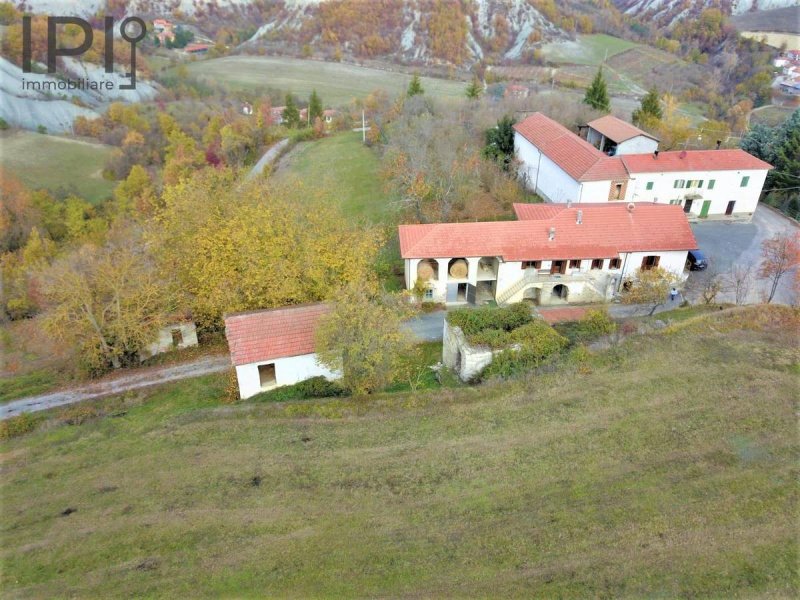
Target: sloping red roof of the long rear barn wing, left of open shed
577, 157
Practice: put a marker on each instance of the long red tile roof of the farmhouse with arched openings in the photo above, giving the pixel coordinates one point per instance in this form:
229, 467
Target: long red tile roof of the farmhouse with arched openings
607, 229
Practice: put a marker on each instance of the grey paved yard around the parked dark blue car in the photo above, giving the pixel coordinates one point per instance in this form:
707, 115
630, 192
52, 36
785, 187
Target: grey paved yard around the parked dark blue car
728, 244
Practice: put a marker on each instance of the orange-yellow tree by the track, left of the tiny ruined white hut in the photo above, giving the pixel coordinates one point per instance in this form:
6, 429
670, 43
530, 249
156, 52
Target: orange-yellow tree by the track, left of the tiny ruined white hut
107, 301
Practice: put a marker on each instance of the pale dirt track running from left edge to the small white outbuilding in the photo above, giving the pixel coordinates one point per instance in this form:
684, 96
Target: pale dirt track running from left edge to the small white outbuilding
121, 383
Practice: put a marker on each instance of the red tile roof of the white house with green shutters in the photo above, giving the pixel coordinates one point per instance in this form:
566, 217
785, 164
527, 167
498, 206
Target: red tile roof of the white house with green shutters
694, 160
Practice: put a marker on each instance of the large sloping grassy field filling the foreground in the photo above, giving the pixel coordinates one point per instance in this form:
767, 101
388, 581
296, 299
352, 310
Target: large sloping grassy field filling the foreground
626, 475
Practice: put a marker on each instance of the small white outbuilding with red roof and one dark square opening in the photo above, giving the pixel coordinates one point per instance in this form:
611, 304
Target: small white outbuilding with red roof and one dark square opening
271, 348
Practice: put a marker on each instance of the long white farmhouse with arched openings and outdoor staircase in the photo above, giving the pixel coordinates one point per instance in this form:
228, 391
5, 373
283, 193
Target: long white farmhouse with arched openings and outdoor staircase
553, 253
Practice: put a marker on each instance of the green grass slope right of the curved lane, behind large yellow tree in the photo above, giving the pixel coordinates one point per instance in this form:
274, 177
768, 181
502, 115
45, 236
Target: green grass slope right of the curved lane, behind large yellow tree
347, 170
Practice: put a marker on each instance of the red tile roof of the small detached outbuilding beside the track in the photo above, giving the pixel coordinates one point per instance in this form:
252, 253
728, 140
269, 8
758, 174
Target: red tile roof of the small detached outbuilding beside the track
269, 334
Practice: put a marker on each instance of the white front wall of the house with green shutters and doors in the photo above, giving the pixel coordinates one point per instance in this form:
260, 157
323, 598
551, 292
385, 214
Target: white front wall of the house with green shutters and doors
727, 187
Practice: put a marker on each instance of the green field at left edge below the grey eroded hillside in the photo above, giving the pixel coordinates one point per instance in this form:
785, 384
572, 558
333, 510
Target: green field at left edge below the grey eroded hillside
47, 161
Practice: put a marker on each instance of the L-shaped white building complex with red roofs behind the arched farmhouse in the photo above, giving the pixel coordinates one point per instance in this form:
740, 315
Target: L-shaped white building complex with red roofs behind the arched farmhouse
562, 167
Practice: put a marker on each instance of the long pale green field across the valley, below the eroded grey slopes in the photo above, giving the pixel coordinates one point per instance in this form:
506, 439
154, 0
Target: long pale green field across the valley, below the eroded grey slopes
336, 83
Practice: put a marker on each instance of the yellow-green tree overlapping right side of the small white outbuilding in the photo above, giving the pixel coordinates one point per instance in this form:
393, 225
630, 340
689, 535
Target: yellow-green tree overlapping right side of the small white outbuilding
363, 337
